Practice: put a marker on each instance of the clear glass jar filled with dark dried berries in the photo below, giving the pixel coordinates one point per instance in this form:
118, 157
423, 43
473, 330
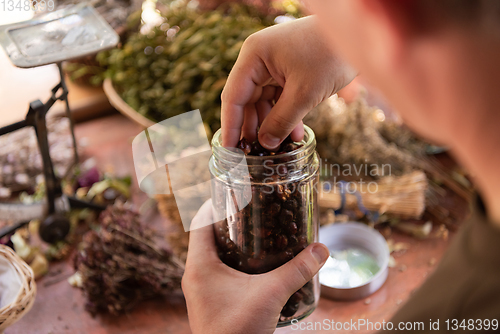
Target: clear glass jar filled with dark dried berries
267, 212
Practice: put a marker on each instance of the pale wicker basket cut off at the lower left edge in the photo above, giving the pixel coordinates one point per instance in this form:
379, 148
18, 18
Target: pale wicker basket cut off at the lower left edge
17, 287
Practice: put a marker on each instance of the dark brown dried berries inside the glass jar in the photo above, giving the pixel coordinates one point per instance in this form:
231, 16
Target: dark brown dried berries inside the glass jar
272, 229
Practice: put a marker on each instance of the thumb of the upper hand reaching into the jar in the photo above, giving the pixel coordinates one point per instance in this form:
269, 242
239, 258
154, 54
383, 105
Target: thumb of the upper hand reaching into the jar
293, 104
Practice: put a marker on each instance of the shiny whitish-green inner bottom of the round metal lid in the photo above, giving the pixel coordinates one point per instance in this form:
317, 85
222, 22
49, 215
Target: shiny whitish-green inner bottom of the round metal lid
348, 268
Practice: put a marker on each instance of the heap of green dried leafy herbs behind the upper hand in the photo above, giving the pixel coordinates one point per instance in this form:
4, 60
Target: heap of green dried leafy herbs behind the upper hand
182, 64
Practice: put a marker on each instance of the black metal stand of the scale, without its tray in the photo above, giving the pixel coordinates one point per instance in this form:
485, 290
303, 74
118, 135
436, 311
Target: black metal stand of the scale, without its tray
55, 227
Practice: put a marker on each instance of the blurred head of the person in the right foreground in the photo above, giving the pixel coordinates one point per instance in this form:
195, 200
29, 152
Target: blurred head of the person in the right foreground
424, 55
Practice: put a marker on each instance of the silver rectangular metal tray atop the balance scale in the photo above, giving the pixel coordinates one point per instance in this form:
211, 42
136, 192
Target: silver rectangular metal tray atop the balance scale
69, 33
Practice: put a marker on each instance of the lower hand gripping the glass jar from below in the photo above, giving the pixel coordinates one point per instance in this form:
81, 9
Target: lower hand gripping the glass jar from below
223, 300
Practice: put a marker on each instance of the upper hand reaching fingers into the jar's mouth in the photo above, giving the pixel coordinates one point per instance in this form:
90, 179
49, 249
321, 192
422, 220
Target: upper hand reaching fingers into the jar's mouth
282, 73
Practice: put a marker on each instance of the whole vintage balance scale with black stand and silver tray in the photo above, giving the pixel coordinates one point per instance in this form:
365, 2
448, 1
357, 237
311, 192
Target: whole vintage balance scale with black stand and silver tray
51, 38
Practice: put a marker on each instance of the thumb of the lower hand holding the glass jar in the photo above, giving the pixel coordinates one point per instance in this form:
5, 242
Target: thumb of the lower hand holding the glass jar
294, 274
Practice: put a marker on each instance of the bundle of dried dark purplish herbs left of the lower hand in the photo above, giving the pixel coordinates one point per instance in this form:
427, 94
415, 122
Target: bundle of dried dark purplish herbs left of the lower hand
120, 264
